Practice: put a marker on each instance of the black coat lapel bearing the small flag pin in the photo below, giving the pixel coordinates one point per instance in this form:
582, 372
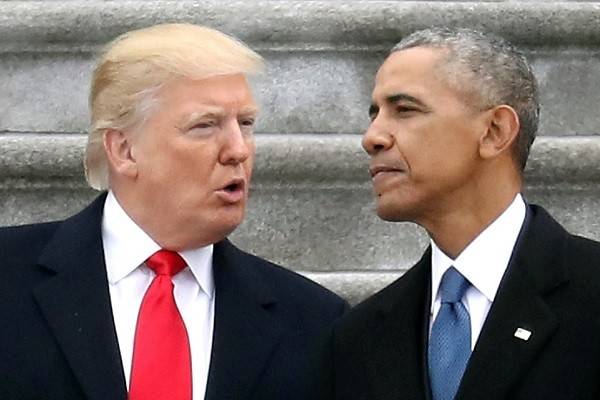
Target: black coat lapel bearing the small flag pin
537, 267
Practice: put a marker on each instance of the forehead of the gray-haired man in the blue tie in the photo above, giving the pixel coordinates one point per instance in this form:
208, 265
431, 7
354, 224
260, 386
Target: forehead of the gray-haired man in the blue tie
413, 71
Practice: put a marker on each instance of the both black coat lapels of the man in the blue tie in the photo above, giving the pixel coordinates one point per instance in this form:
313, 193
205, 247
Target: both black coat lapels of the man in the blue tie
395, 346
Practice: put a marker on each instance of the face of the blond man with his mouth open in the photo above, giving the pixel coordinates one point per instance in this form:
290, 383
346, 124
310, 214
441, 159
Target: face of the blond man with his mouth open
194, 158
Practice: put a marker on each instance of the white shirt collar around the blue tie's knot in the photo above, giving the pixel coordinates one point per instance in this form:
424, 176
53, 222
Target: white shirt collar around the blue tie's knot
484, 261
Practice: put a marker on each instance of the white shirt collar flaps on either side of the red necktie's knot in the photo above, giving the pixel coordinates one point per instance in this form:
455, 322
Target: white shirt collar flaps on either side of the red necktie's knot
127, 246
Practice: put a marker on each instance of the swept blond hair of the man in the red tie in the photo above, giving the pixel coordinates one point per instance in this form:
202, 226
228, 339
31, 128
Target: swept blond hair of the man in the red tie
136, 64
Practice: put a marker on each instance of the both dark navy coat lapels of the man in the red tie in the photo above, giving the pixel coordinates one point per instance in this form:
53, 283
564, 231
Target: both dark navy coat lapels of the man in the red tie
76, 304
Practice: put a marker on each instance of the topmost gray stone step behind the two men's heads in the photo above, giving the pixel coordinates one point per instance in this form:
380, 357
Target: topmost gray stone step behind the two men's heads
322, 55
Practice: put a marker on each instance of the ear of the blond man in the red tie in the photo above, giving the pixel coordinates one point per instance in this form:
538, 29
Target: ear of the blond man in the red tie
118, 148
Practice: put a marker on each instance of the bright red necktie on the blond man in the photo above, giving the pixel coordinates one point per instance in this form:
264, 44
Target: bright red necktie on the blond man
161, 367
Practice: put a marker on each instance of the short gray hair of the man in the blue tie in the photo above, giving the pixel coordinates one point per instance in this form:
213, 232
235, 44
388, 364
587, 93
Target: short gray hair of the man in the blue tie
488, 71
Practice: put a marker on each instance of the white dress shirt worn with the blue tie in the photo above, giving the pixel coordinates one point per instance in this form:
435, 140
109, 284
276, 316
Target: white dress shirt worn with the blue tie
483, 263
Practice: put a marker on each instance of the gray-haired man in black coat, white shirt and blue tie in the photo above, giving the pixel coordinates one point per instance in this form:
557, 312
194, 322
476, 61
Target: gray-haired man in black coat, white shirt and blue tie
504, 303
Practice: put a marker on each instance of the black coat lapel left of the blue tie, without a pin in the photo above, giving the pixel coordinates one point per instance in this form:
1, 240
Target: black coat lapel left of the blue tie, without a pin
395, 348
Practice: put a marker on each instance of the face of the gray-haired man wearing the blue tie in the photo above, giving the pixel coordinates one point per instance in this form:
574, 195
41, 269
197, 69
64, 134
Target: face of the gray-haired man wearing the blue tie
423, 139
